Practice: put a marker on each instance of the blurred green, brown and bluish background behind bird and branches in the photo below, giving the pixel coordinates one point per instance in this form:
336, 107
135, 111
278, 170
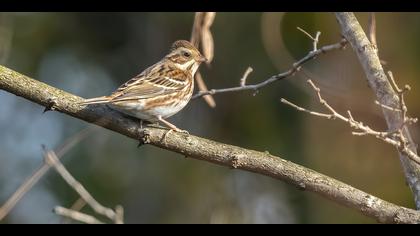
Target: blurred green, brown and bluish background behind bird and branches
91, 54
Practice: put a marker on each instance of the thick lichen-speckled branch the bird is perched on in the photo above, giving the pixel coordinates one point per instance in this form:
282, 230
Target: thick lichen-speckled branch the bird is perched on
208, 150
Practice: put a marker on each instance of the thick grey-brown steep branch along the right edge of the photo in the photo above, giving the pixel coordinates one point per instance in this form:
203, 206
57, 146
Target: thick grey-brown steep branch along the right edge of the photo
384, 92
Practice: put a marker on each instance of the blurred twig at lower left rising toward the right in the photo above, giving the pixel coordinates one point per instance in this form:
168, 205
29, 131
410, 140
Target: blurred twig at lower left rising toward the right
34, 178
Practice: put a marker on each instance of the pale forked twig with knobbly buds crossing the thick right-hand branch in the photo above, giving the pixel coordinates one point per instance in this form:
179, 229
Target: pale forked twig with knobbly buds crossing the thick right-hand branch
392, 138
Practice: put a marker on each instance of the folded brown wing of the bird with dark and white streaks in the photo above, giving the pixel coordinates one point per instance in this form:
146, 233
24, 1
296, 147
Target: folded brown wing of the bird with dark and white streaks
159, 79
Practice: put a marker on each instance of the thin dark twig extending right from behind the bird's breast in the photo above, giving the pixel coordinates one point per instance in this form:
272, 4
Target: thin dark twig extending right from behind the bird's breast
295, 67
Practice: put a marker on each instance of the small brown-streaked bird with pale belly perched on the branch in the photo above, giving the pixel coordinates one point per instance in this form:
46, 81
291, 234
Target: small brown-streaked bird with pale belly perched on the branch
161, 90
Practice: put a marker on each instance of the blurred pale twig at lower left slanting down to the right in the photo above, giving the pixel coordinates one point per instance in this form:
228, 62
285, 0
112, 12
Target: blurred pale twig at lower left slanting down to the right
52, 160
